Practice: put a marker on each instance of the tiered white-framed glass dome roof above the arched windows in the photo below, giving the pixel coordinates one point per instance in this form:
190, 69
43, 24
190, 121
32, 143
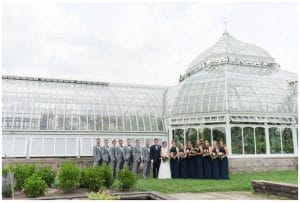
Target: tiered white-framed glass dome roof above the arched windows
248, 81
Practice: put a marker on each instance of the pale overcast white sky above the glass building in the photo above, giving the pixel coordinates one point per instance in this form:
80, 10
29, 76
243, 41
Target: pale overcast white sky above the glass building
136, 43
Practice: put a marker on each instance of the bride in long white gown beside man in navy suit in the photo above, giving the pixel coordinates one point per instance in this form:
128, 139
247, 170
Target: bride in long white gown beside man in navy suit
164, 169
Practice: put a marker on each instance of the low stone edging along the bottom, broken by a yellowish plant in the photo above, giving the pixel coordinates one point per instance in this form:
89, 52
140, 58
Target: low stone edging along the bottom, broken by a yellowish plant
124, 195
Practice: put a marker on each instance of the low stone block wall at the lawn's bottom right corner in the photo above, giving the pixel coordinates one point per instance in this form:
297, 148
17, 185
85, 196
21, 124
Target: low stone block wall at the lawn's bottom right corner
276, 188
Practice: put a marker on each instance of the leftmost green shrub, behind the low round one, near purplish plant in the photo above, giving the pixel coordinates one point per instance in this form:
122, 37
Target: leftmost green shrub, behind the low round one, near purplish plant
21, 173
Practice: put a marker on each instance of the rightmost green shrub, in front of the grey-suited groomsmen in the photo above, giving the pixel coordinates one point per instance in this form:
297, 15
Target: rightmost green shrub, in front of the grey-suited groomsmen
127, 179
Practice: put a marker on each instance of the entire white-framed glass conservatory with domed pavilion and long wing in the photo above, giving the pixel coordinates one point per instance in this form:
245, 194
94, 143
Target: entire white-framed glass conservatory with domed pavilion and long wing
232, 91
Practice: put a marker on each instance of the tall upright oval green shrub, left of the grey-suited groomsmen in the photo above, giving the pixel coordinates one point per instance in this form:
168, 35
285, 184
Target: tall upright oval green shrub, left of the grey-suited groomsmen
69, 176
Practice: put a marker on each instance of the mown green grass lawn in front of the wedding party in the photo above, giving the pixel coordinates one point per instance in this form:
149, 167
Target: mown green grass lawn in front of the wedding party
237, 182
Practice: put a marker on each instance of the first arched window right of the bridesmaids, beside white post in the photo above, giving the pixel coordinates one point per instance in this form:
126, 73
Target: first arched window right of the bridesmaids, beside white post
236, 140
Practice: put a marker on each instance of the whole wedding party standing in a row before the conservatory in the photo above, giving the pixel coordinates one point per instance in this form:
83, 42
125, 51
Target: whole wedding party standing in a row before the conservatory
200, 161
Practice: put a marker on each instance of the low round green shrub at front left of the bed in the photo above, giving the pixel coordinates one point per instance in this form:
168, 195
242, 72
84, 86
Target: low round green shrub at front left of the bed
35, 186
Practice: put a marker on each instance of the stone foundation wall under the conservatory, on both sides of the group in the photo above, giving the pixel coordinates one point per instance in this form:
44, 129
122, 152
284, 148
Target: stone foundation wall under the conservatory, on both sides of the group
235, 164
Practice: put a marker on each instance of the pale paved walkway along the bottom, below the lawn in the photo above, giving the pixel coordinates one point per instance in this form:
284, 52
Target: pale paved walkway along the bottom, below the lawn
236, 195
